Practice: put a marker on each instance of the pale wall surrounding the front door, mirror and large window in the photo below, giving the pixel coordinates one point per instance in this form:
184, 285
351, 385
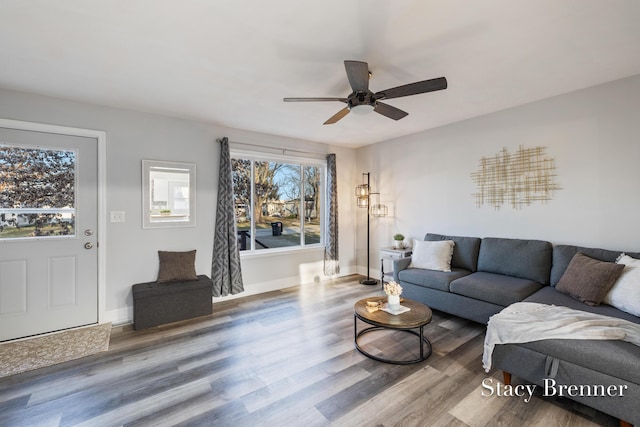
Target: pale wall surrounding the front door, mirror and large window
133, 136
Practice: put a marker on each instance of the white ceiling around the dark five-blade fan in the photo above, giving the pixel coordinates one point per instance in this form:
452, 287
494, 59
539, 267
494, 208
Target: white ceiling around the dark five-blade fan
232, 62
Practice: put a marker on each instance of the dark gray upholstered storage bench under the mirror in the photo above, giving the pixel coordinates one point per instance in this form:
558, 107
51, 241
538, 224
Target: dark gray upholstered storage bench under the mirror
158, 303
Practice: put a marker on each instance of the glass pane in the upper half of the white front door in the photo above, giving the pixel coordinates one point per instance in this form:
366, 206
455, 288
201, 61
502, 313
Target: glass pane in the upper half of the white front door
37, 192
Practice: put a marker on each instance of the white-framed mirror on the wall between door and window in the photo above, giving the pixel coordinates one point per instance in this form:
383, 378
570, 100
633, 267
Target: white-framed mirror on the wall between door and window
168, 194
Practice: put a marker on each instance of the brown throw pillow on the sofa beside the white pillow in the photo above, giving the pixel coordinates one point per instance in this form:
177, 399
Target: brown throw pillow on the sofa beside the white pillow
588, 279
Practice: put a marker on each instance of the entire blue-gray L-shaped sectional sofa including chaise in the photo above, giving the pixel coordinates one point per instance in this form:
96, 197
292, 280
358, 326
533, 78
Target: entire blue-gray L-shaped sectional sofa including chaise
491, 273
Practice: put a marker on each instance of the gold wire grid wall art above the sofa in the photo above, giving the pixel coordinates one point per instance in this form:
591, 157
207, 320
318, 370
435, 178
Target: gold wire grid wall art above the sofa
518, 179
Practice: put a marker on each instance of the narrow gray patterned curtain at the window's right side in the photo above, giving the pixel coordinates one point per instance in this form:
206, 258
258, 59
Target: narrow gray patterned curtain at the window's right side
331, 264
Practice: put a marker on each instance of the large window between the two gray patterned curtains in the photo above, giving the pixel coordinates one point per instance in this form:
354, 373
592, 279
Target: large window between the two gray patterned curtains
278, 202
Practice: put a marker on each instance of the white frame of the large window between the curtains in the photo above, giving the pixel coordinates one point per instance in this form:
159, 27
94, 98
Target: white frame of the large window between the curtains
259, 156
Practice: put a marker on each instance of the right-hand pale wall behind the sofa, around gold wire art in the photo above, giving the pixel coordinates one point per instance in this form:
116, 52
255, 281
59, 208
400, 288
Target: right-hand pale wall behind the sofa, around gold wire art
593, 135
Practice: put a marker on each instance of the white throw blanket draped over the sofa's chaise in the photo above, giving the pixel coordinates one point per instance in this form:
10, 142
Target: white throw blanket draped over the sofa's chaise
528, 321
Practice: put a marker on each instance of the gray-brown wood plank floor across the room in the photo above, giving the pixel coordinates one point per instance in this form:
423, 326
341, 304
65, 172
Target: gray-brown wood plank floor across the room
285, 358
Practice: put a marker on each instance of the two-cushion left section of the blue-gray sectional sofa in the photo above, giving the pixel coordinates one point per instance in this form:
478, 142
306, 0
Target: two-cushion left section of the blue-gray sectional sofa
486, 276
